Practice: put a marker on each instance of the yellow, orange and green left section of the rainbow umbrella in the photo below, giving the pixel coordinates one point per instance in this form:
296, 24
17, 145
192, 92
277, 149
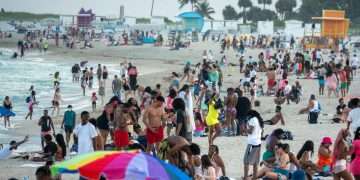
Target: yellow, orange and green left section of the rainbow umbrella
73, 165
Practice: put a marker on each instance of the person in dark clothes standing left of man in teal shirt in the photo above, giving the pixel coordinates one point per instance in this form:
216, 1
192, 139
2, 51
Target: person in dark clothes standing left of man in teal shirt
46, 125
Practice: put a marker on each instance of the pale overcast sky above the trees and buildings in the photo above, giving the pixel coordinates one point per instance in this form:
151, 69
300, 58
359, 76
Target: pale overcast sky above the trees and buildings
137, 8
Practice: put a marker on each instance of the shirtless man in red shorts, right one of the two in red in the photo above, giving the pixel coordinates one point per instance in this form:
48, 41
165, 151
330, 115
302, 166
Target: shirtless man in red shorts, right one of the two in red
154, 120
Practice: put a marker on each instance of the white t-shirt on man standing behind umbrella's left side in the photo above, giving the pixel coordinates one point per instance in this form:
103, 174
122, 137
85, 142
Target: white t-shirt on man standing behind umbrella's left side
85, 134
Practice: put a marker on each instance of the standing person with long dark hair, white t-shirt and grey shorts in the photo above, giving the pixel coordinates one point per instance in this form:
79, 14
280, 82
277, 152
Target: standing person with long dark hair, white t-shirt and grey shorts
252, 153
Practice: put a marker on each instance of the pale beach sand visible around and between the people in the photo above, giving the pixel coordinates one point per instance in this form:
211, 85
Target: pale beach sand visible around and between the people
155, 63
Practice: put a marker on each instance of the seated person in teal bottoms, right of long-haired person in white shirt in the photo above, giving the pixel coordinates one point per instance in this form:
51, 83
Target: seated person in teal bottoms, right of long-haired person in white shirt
281, 168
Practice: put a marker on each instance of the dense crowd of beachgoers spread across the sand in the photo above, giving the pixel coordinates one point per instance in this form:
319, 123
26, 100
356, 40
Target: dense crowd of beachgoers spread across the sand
163, 119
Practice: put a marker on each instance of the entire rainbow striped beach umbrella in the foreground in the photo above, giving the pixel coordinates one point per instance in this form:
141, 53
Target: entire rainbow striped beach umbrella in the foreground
115, 165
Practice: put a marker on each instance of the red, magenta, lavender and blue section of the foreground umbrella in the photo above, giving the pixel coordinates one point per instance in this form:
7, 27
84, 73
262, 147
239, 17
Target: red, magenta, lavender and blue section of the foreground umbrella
139, 166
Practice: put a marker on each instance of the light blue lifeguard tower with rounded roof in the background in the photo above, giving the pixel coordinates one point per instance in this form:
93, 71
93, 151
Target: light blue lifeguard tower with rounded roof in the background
192, 21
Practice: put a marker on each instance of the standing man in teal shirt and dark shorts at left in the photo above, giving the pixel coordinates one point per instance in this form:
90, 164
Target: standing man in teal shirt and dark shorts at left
69, 123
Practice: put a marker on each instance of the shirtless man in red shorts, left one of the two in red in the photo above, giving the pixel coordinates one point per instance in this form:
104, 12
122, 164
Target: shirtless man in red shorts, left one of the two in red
121, 134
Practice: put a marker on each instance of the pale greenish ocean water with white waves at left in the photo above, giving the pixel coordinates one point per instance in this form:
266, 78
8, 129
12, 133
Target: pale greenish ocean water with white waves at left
17, 75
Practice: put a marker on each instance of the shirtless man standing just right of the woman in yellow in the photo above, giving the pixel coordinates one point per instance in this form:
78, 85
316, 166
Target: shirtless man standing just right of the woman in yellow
230, 103
